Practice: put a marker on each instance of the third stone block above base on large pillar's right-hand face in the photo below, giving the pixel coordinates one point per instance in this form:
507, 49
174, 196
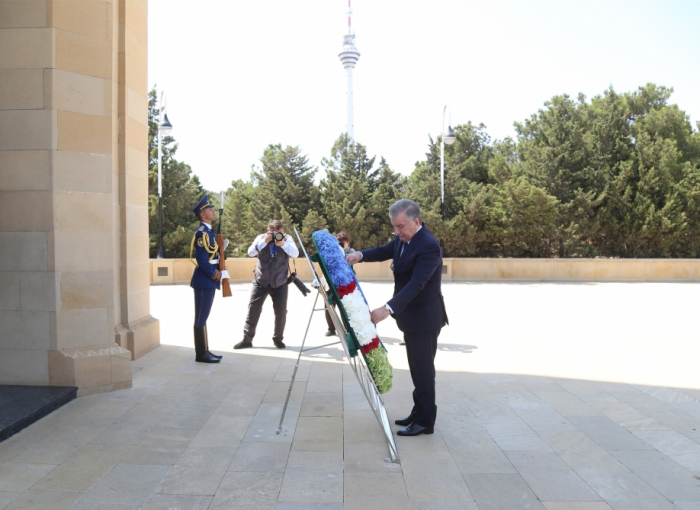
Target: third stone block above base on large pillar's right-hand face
70, 253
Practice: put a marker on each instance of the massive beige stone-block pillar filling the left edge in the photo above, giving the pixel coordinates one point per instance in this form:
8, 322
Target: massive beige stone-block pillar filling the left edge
62, 238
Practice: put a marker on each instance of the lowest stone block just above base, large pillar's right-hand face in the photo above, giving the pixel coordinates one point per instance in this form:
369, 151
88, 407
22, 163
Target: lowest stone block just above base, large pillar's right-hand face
83, 328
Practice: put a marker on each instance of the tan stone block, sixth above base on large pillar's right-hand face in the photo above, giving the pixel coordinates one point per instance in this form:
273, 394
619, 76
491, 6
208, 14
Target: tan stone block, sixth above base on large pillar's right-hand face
84, 133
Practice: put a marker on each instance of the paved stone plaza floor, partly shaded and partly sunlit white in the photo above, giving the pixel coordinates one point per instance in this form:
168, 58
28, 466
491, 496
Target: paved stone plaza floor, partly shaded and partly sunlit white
554, 396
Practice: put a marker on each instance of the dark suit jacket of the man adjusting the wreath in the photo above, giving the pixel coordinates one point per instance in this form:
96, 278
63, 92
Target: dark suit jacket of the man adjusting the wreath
417, 303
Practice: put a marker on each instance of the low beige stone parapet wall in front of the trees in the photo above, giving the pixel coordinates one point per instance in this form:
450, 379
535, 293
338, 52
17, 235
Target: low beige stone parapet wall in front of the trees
179, 271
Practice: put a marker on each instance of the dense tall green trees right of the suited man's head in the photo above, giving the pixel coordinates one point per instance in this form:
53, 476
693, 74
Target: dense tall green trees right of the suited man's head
613, 177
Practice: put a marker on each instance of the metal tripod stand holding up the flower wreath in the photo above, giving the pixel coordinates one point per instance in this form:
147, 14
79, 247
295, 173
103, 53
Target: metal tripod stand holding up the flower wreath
357, 362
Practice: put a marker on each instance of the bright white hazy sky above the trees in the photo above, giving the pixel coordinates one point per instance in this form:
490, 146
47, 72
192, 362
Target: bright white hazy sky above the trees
239, 75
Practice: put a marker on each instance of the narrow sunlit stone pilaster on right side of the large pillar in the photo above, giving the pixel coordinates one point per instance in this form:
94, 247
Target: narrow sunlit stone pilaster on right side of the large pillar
137, 331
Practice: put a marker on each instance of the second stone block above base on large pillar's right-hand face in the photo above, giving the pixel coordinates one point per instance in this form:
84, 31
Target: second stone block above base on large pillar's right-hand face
87, 289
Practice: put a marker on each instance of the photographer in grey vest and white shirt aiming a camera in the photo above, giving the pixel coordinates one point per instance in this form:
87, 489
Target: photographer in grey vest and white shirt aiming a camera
273, 250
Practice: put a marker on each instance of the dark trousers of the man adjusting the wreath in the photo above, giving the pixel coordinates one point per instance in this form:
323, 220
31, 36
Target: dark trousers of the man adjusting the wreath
420, 349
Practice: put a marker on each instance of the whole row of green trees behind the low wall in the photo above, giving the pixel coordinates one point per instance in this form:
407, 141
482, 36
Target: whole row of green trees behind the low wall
616, 176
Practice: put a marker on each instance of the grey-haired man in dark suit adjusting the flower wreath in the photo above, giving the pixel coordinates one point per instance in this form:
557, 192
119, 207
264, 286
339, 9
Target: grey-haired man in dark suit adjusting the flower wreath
417, 305
